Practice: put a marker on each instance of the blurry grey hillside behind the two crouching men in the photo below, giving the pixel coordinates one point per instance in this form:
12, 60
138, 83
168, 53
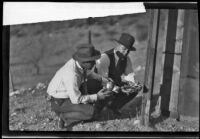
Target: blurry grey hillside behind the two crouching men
38, 50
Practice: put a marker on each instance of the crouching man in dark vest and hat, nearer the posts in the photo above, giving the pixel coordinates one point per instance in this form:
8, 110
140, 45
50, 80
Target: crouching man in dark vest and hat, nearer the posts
115, 64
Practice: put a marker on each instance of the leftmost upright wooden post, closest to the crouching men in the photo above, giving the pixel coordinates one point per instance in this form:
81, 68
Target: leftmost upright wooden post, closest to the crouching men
150, 66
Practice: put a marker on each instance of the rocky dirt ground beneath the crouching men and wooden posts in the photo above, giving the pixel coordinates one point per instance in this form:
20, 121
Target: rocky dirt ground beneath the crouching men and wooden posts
29, 110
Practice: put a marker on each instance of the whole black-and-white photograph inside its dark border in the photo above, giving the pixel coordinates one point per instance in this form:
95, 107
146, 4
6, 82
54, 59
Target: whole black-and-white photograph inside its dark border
101, 67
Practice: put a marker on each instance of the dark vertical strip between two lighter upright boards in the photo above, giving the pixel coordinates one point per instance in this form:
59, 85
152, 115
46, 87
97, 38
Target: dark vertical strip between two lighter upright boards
165, 89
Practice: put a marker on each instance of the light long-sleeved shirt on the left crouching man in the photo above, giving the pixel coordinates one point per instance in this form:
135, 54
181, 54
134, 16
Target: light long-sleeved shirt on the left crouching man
66, 83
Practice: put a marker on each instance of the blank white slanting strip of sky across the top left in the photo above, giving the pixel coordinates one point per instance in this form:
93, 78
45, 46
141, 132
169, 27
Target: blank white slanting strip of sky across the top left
32, 12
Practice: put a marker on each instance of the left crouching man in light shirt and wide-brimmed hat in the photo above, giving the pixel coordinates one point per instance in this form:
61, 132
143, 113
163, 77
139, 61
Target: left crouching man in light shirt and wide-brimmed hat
68, 90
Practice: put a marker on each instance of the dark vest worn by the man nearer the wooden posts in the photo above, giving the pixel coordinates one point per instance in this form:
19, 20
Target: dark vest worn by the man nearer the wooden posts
115, 72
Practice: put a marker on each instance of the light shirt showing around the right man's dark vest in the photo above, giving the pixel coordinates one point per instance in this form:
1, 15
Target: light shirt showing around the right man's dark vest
103, 64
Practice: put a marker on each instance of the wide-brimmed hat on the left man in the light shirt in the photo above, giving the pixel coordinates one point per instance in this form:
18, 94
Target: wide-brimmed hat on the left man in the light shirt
86, 52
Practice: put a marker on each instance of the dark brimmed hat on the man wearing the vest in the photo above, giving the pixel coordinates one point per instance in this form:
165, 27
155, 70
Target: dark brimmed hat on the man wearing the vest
127, 40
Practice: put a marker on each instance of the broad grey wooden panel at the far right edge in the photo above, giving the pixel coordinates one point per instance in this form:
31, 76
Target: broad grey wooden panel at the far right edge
188, 98
